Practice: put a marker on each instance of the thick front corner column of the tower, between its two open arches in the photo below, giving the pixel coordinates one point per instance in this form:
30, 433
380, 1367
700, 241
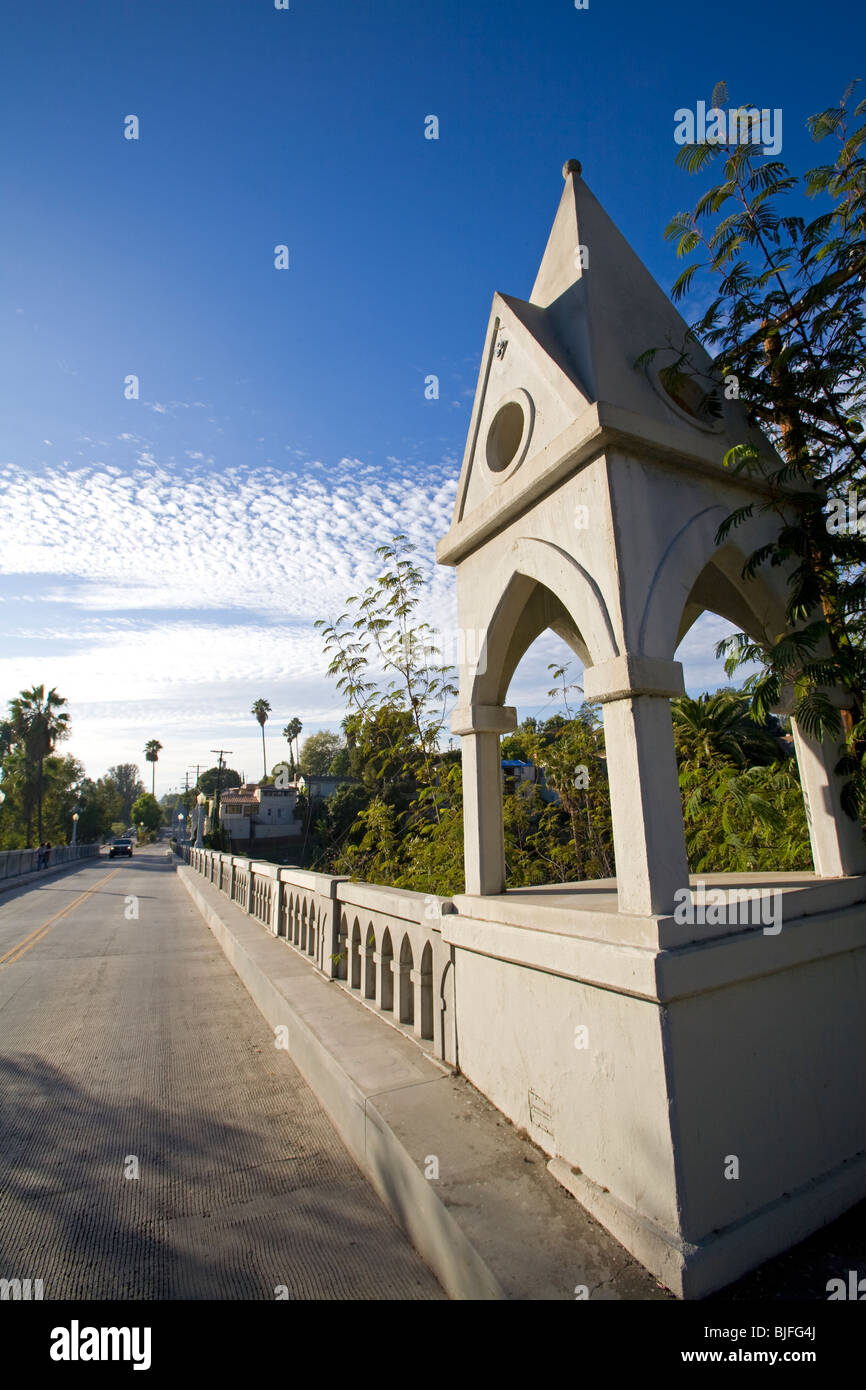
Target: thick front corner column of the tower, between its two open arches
648, 836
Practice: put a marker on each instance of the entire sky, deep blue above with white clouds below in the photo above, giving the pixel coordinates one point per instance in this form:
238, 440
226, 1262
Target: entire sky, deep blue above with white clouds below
165, 558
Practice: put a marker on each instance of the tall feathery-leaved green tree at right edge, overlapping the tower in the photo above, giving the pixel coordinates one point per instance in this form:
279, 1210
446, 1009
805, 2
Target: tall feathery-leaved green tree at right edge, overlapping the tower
789, 329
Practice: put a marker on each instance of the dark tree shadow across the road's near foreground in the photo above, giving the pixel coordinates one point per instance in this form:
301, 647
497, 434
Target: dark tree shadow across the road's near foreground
219, 1210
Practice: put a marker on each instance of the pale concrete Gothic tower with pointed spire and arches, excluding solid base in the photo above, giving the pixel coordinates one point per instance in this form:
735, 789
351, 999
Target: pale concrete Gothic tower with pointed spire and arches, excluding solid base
589, 502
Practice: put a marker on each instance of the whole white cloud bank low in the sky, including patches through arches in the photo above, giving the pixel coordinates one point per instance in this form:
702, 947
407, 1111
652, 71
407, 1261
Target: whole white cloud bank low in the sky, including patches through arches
166, 598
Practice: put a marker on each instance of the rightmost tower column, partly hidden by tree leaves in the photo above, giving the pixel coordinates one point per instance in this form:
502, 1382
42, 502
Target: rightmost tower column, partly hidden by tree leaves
838, 842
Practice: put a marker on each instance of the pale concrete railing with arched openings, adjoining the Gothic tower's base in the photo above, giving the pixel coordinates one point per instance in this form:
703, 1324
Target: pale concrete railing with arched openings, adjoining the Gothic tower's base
380, 945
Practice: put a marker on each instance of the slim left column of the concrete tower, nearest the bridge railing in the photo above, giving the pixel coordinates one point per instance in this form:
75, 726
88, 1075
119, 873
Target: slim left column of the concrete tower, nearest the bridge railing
480, 728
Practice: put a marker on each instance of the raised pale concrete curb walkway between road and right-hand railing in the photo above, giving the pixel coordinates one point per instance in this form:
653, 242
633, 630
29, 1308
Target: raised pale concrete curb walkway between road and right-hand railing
494, 1225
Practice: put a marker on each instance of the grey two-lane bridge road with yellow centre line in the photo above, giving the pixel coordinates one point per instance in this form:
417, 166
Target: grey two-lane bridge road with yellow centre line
129, 1047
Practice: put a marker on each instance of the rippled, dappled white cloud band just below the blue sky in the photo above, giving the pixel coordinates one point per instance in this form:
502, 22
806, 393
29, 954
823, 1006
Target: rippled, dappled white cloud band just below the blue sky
245, 537
